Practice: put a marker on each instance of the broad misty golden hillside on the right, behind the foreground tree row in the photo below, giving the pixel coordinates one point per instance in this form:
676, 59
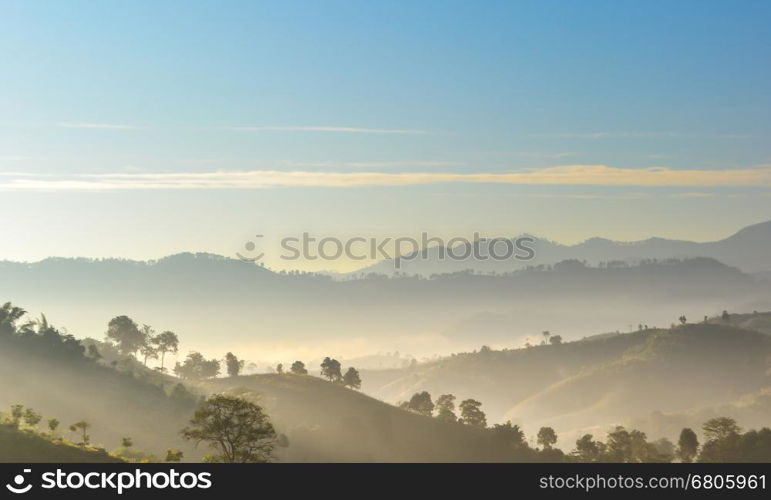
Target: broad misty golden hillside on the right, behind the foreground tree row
597, 381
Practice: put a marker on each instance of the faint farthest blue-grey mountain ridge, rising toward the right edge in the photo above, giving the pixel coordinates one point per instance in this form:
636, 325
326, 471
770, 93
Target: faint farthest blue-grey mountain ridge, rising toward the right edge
749, 249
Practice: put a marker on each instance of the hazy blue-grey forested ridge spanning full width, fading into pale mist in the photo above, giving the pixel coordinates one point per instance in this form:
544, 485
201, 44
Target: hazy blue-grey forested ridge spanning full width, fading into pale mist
192, 293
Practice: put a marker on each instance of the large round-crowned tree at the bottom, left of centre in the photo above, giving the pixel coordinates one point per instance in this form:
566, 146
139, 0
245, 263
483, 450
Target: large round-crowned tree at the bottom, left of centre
238, 429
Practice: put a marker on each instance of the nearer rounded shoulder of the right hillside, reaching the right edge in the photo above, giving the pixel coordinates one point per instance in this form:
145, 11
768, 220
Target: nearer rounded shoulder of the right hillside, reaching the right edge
674, 370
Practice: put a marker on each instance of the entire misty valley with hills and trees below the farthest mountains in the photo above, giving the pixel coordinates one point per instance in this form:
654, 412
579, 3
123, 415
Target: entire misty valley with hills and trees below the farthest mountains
633, 360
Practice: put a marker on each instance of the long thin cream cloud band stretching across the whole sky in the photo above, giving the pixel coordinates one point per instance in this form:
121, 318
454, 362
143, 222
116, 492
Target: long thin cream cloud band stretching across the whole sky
581, 175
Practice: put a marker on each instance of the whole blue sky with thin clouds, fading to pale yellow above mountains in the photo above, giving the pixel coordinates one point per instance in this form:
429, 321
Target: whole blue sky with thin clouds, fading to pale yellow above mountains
338, 110
